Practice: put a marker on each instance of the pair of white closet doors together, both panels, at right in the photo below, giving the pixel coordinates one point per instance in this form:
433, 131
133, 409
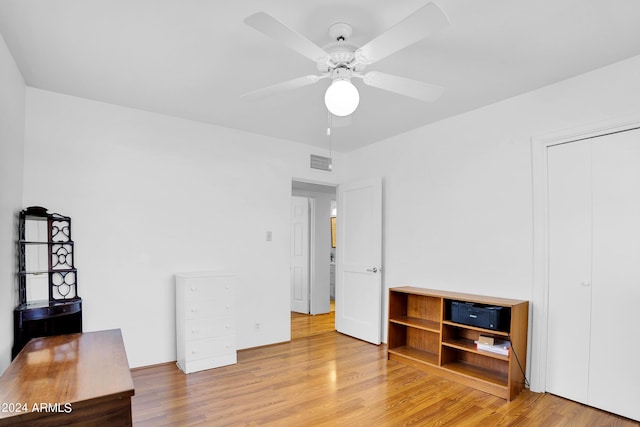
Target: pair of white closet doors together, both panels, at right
594, 272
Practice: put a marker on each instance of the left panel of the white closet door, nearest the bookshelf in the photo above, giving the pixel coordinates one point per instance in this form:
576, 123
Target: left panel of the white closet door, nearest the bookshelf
569, 170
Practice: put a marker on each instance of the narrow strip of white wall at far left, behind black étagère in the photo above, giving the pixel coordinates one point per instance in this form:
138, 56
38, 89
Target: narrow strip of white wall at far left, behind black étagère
12, 90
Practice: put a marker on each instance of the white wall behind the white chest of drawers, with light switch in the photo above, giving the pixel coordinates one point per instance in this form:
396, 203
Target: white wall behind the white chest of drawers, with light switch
150, 196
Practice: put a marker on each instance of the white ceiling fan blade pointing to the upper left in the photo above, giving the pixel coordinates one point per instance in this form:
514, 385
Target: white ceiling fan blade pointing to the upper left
271, 27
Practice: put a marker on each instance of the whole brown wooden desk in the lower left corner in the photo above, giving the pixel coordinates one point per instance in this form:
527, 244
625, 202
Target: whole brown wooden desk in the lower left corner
77, 379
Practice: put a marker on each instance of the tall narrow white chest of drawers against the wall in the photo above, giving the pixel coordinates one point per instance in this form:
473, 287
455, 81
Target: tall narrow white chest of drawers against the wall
205, 320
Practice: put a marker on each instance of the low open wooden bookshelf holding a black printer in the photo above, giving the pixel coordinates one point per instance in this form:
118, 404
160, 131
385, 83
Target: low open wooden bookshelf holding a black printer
422, 334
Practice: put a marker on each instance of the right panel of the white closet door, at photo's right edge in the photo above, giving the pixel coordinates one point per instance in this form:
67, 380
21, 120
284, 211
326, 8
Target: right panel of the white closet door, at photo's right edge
614, 375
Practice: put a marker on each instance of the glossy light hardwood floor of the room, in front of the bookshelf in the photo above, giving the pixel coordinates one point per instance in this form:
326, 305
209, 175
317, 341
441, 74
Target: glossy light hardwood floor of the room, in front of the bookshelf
330, 379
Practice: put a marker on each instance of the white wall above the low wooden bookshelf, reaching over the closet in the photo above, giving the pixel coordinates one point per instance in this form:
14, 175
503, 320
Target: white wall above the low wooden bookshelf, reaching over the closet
458, 193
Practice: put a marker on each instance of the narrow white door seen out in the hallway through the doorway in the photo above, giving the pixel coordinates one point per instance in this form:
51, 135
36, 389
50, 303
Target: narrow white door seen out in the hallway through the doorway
300, 254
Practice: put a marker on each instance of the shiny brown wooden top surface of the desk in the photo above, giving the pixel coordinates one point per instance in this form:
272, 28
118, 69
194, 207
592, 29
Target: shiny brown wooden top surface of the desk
67, 369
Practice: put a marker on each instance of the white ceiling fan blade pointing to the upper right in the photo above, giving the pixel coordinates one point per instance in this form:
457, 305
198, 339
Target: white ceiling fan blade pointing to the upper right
412, 29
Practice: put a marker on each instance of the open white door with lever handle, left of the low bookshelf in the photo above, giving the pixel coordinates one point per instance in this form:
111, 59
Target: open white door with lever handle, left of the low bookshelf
359, 261
